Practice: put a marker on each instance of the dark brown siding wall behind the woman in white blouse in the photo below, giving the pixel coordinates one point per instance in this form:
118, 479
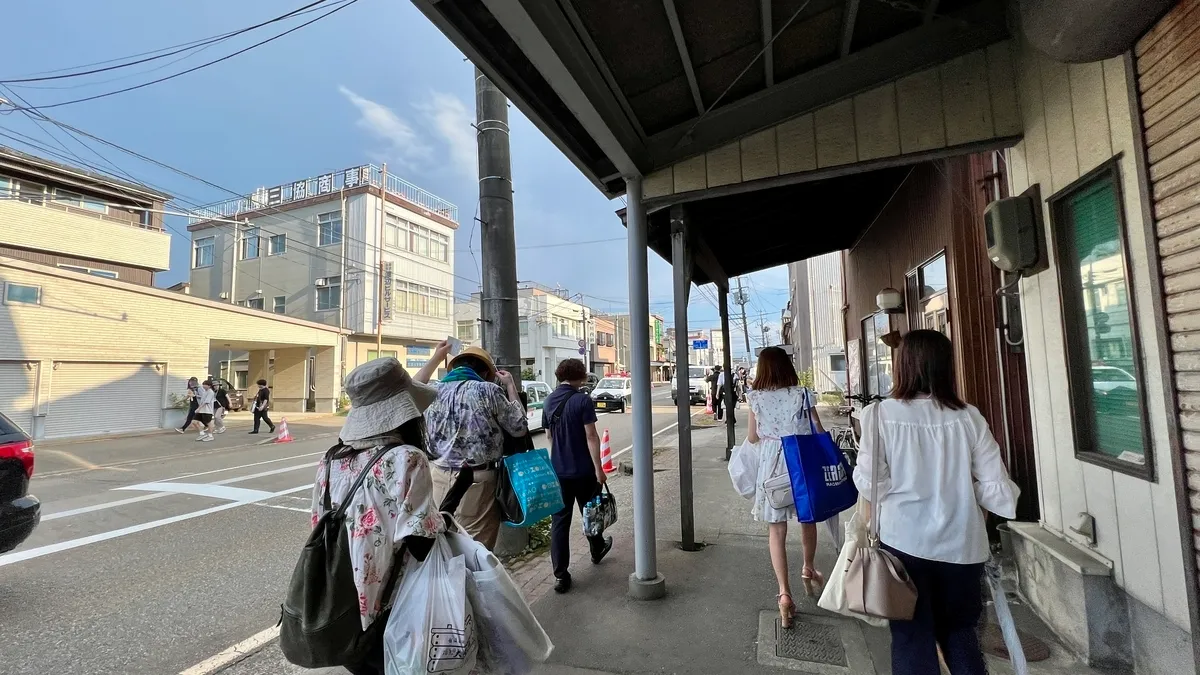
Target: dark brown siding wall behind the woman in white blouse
940, 208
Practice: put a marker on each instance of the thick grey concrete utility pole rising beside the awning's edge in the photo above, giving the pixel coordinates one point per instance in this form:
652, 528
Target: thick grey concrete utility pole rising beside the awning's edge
499, 301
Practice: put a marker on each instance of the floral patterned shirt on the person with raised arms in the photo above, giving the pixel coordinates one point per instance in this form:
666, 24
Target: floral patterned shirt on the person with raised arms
466, 425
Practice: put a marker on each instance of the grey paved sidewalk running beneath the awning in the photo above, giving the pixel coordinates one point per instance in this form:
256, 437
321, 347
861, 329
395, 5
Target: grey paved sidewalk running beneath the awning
719, 617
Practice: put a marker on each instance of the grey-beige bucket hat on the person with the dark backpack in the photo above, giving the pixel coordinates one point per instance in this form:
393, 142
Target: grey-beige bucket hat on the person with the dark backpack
383, 397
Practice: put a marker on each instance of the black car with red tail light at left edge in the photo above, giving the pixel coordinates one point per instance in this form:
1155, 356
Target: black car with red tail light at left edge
20, 511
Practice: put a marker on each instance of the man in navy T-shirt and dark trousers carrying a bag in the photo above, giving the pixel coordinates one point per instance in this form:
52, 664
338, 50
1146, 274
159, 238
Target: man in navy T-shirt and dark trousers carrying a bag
571, 419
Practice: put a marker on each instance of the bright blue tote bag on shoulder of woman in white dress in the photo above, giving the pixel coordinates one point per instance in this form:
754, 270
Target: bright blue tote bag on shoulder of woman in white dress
821, 477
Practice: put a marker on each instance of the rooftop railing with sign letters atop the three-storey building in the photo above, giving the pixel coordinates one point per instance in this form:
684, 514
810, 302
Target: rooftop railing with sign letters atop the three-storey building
328, 184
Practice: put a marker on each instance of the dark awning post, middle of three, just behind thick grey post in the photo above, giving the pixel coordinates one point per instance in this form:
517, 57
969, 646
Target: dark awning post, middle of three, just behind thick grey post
681, 262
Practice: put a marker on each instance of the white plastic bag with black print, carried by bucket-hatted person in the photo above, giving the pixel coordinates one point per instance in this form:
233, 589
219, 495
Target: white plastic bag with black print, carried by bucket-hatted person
431, 629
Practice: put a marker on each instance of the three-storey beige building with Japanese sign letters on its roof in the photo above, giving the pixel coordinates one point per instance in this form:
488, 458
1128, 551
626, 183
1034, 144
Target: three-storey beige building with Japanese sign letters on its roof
359, 249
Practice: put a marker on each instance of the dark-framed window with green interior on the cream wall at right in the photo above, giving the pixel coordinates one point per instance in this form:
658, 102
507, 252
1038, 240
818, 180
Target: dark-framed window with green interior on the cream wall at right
1102, 347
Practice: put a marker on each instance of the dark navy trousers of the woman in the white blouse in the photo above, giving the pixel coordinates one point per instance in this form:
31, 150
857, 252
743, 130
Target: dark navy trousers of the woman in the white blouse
950, 605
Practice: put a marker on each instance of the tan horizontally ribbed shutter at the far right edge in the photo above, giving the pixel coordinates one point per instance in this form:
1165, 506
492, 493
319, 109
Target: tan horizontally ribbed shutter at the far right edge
1168, 68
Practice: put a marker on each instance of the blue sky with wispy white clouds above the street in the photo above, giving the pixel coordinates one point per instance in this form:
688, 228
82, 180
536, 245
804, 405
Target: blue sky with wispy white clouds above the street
376, 82
